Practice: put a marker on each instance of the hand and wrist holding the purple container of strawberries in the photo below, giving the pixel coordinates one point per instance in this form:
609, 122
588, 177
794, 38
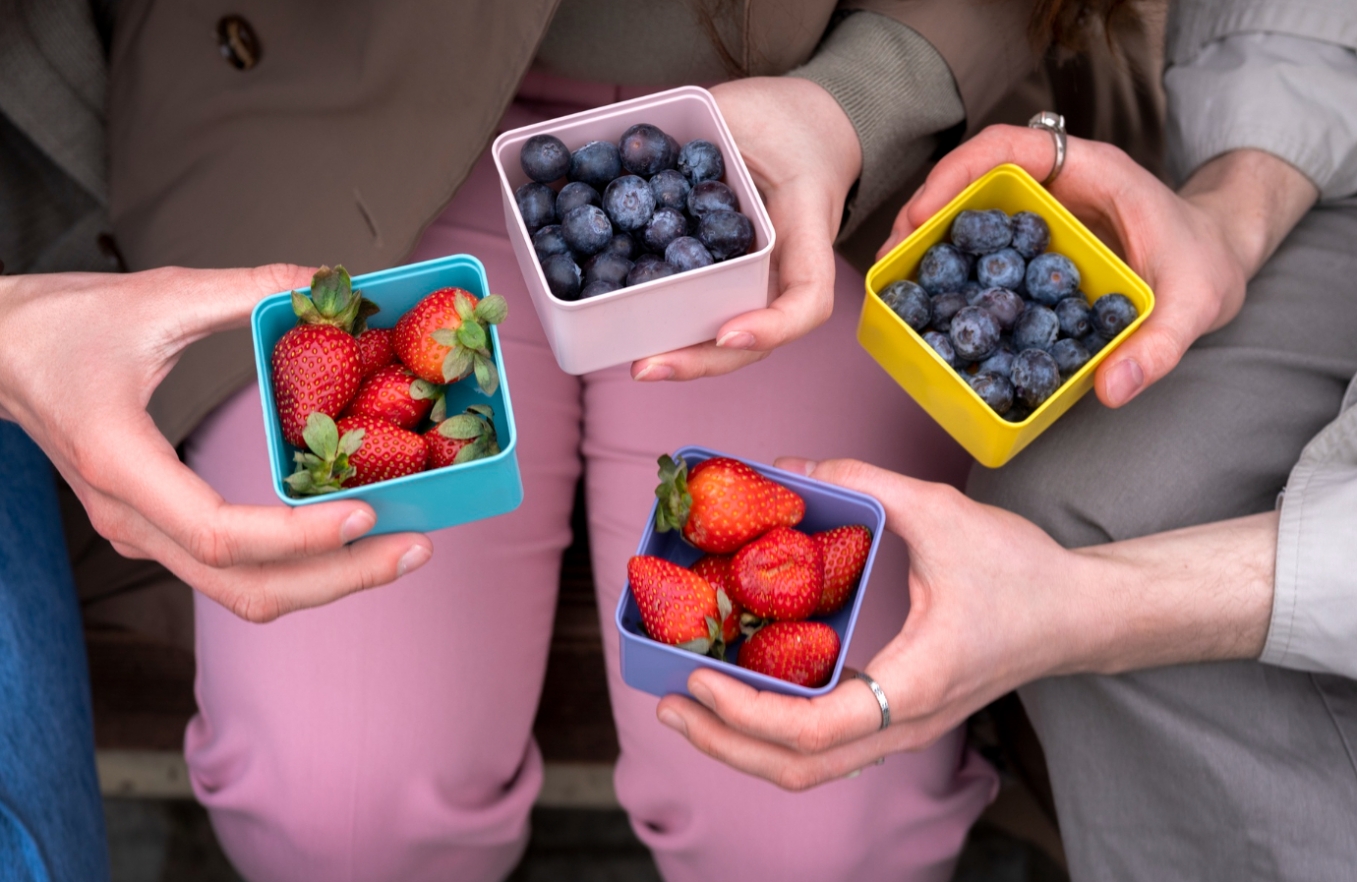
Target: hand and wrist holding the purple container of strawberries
994, 603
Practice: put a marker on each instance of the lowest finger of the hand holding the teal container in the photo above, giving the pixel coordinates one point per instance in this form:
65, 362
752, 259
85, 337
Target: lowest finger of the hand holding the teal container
265, 592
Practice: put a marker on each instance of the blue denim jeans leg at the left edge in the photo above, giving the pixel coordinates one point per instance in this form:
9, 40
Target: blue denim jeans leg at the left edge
51, 813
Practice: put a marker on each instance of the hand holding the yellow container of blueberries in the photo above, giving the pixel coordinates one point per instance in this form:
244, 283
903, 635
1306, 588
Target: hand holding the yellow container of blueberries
1196, 249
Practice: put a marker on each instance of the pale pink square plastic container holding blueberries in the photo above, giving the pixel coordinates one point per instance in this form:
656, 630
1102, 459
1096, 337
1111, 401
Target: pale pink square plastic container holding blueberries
666, 314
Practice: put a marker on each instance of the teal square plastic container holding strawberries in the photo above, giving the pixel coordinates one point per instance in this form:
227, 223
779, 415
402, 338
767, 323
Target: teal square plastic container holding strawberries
431, 500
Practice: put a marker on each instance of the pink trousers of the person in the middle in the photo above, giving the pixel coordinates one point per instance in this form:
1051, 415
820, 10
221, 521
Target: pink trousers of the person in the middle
389, 736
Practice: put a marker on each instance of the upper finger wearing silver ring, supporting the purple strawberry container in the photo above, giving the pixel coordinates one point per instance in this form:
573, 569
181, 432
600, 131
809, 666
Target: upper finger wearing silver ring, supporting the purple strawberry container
803, 725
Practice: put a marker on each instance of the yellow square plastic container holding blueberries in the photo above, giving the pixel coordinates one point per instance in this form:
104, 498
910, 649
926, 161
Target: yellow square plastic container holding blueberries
898, 348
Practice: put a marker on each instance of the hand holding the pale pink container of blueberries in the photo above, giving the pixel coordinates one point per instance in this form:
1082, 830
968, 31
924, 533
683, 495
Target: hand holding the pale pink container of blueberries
804, 157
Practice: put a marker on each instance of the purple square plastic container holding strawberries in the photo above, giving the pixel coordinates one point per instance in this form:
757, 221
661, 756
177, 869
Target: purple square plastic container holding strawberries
660, 670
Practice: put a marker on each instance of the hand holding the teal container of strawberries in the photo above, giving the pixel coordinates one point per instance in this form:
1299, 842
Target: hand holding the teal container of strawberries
81, 356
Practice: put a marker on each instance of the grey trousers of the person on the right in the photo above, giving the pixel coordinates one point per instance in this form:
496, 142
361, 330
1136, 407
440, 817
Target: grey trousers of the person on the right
1223, 771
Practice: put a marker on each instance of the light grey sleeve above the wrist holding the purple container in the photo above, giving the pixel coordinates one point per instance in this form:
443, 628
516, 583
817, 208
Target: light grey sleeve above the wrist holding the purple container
1314, 621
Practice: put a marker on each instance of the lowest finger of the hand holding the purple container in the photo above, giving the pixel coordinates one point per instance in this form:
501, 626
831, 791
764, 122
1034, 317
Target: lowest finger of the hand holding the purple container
771, 762
